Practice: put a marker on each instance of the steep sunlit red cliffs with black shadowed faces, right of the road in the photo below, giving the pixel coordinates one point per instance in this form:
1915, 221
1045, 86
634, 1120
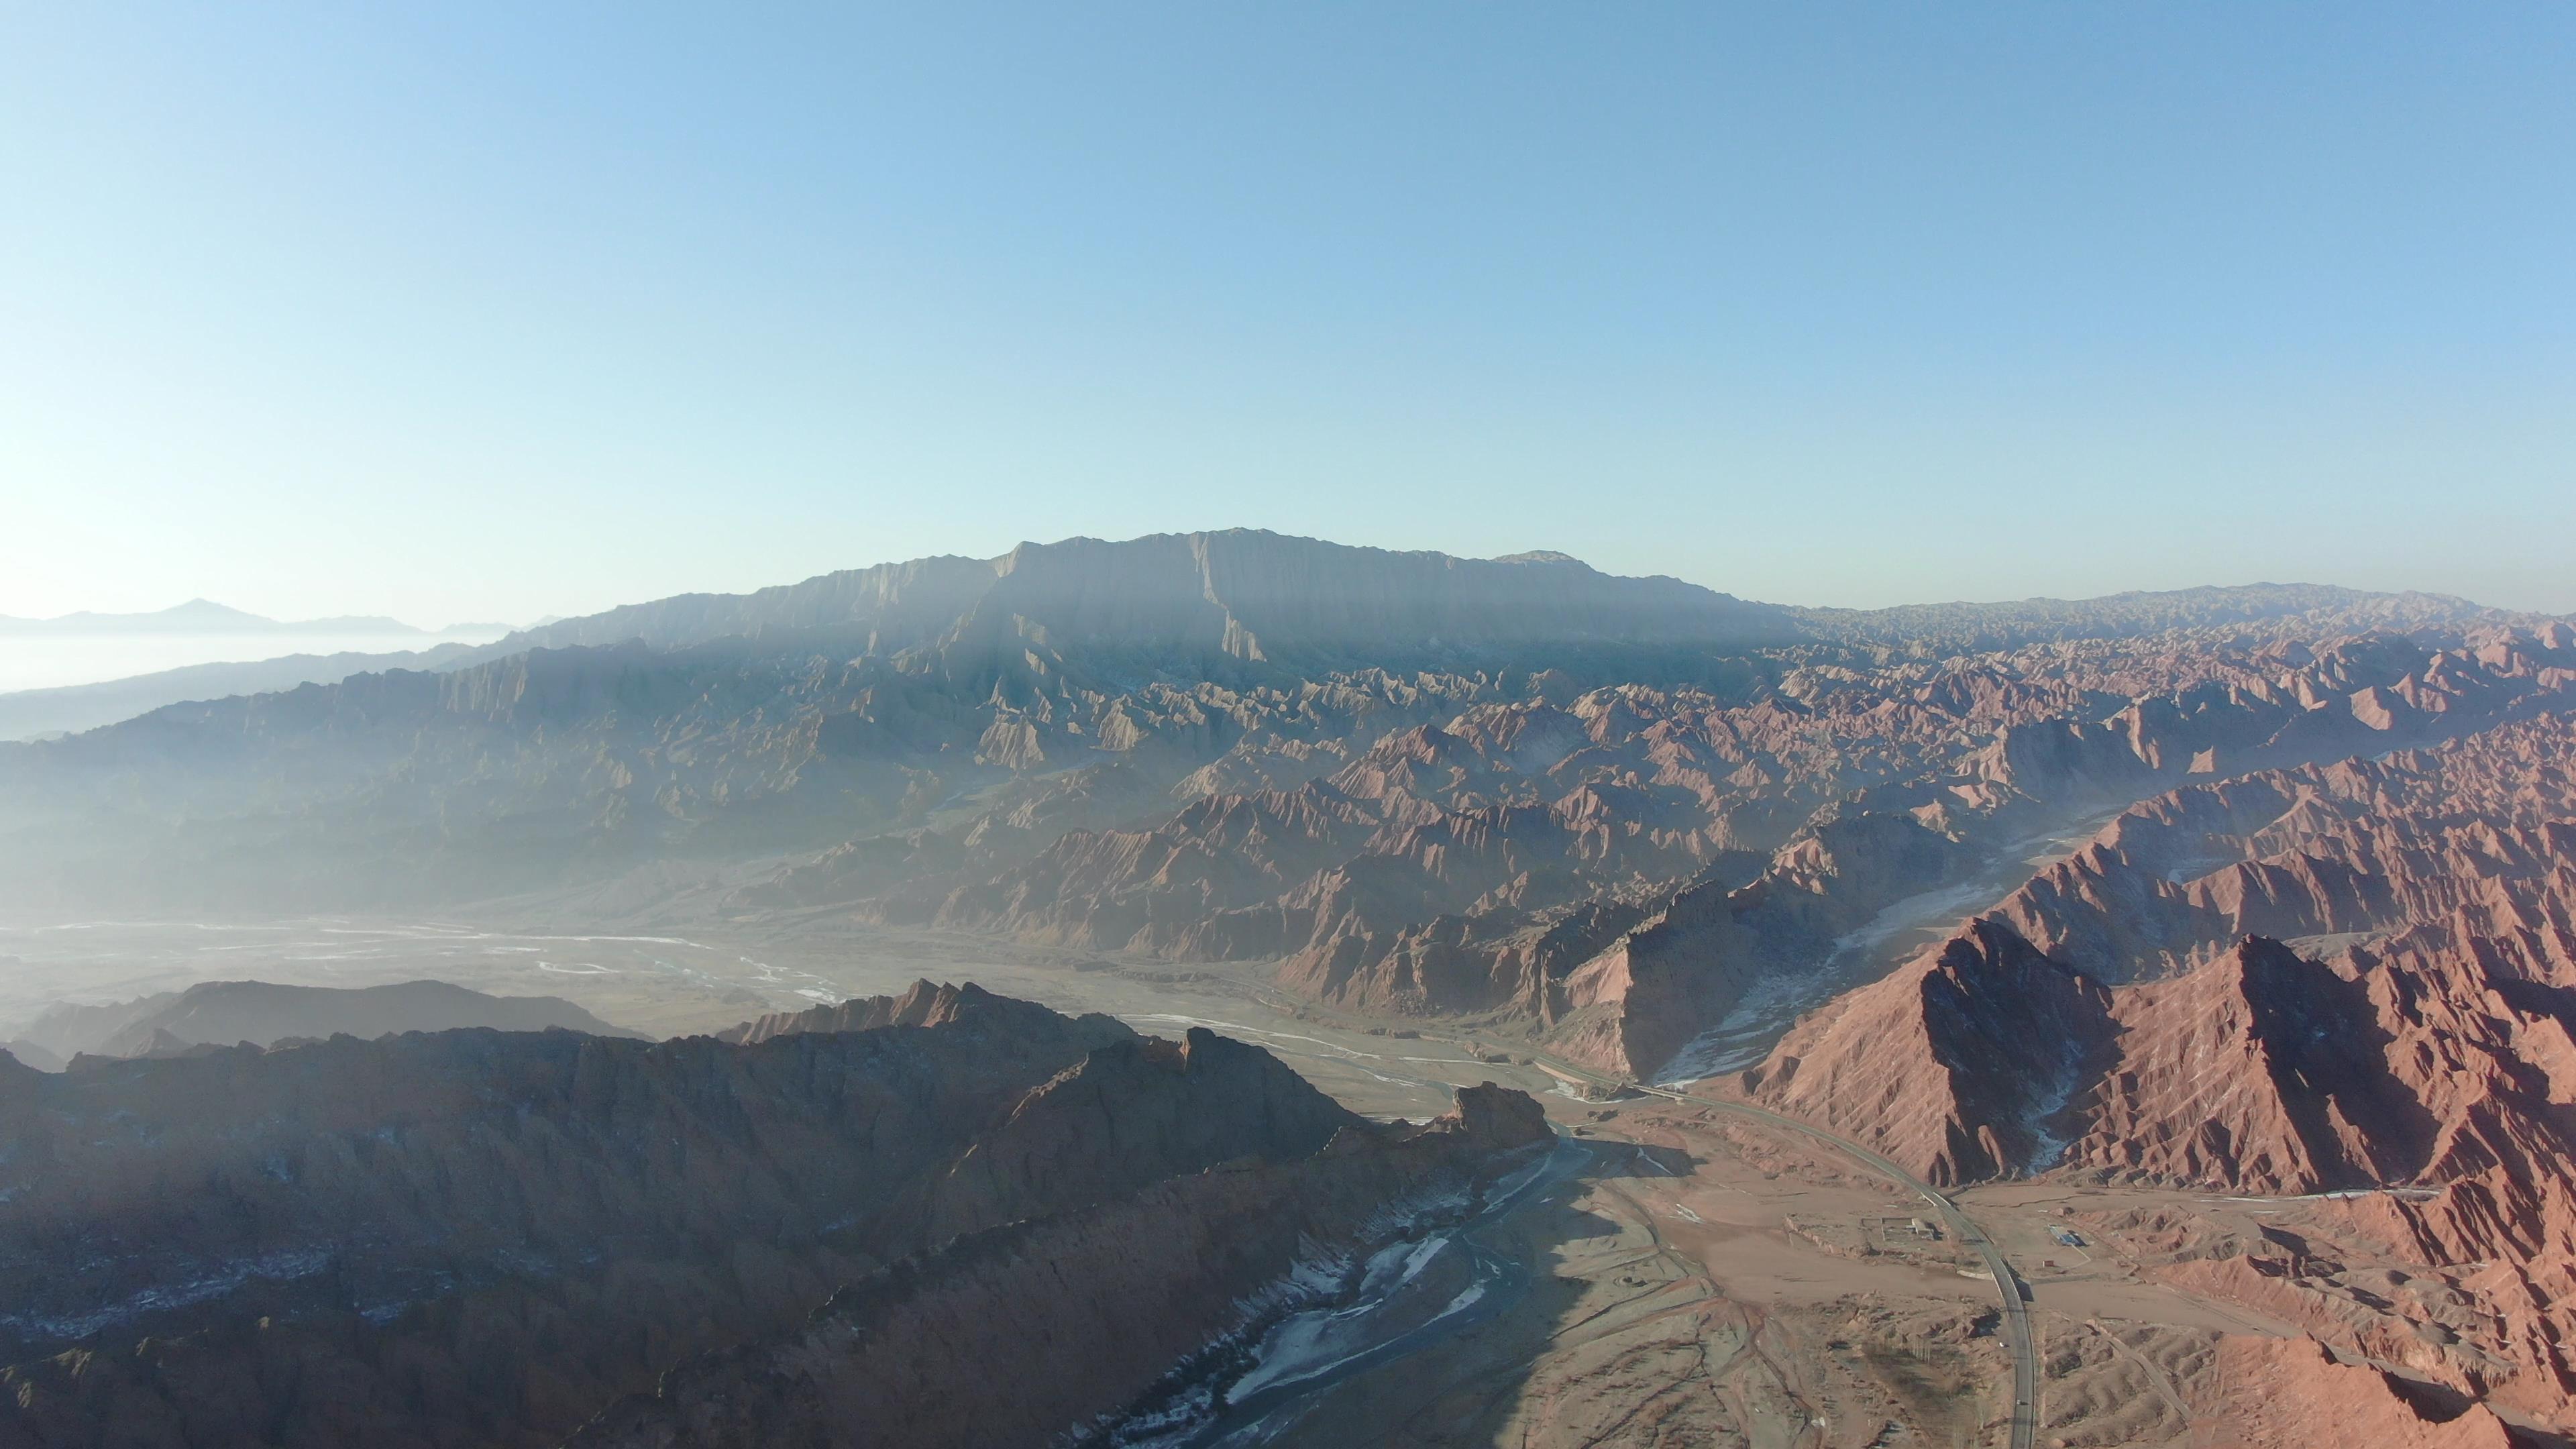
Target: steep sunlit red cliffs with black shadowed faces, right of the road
2258, 1071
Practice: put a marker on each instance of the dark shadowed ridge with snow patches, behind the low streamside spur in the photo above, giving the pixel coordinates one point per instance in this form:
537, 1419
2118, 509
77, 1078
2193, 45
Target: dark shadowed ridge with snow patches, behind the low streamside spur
488, 1239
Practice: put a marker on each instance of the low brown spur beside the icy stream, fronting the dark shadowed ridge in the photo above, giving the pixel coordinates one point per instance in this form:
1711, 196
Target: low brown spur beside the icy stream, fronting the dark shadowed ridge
1112, 1296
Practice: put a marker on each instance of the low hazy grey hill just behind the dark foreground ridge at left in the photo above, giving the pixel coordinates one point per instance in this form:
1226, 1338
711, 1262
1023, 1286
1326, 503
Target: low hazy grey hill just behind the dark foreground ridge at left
267, 1012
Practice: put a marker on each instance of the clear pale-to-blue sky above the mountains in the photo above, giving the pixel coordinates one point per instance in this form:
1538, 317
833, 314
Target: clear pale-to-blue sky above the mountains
509, 311
